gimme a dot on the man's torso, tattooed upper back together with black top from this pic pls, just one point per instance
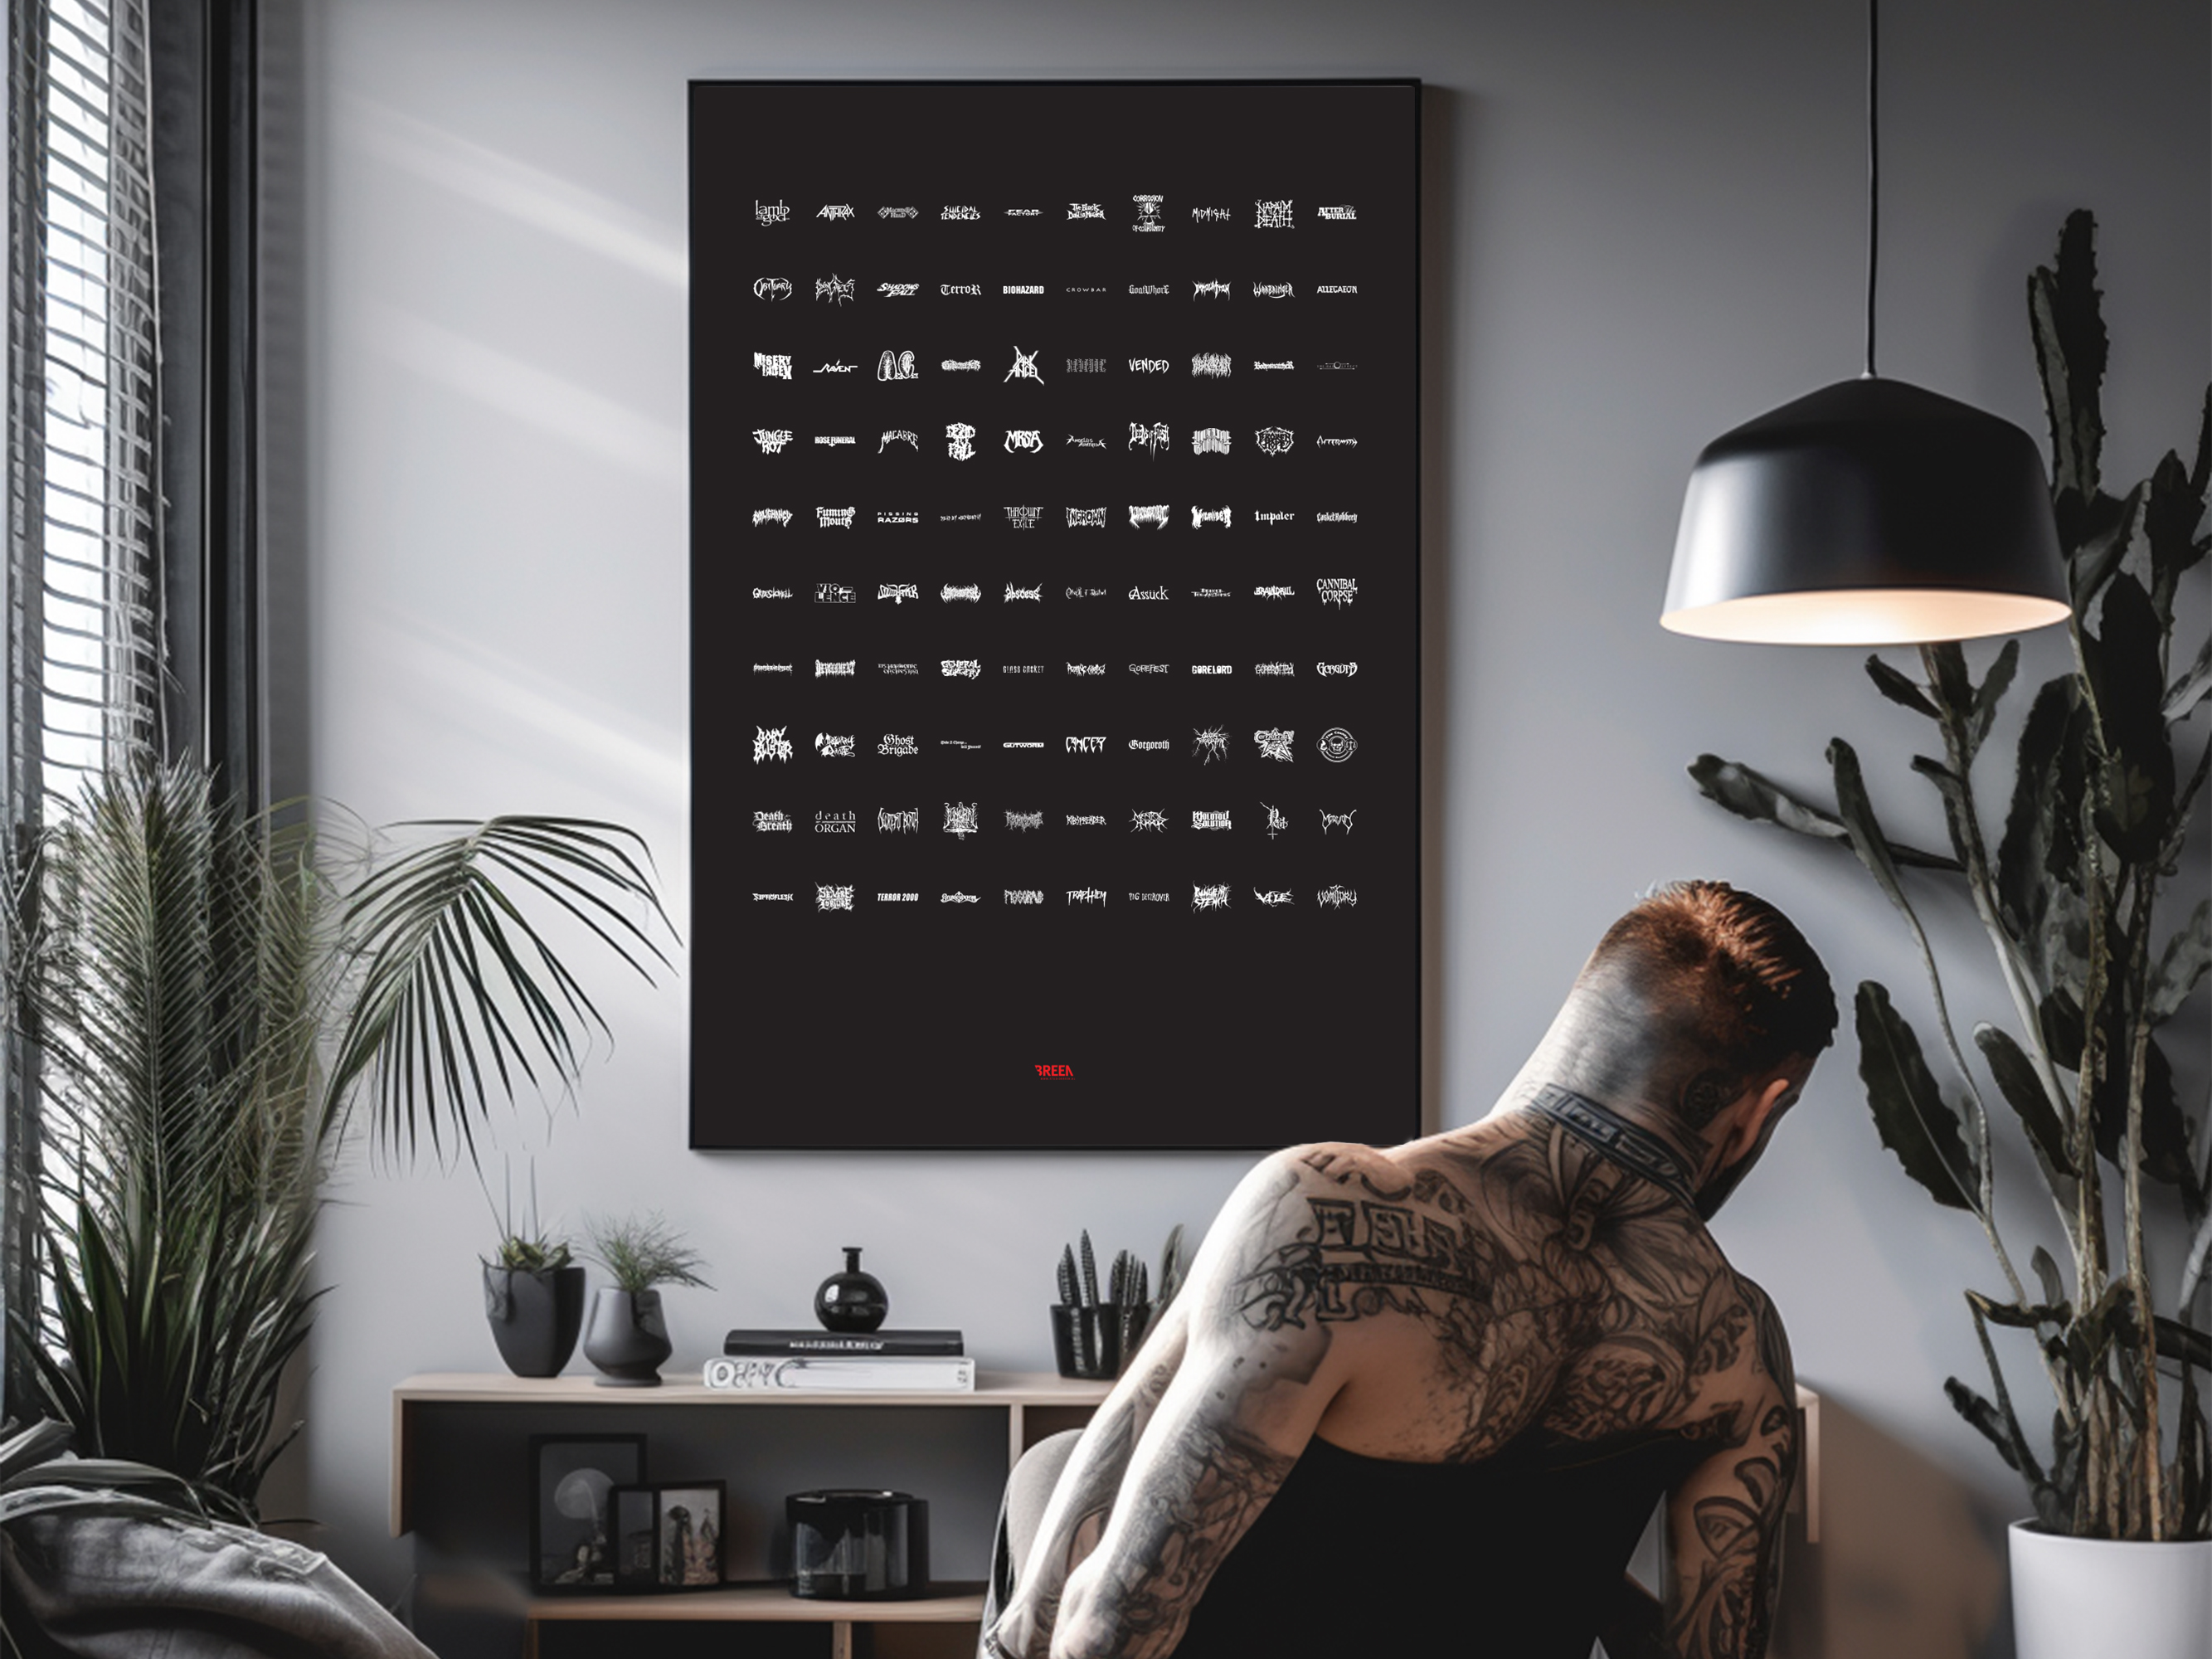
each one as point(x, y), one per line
point(1534, 1348)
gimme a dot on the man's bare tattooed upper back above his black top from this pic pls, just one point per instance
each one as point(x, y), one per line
point(1499, 1282)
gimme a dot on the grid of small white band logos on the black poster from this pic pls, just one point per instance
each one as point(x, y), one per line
point(864, 501)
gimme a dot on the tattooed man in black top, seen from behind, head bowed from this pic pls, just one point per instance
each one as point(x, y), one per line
point(1423, 1401)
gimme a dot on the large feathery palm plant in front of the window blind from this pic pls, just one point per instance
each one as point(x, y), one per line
point(213, 999)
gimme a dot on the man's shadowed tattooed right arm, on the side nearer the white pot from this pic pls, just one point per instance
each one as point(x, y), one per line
point(1726, 1521)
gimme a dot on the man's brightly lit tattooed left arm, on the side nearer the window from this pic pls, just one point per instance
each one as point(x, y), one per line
point(1231, 1423)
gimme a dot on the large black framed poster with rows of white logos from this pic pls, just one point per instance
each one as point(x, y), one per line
point(1054, 616)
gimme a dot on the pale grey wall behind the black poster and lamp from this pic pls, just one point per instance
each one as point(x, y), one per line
point(1645, 229)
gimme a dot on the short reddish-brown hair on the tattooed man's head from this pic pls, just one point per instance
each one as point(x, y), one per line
point(1753, 988)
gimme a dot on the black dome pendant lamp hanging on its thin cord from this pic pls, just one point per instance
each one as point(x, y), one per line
point(1868, 512)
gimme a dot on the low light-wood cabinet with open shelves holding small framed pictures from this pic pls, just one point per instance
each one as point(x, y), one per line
point(461, 1488)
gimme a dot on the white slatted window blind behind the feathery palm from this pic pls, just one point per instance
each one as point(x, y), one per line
point(83, 643)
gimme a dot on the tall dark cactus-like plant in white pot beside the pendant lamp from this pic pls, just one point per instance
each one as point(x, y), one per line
point(2107, 784)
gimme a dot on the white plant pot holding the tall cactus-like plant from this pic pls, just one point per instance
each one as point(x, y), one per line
point(2078, 1598)
